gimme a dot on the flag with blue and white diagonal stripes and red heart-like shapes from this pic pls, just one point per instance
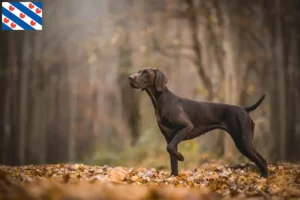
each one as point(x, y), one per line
point(22, 15)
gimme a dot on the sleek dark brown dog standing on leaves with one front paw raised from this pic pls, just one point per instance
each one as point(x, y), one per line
point(182, 119)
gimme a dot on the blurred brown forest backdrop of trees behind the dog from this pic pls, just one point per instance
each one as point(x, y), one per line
point(65, 96)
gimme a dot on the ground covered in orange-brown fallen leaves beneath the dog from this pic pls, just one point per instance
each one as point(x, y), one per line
point(212, 181)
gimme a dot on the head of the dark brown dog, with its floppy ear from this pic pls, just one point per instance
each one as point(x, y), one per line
point(148, 77)
